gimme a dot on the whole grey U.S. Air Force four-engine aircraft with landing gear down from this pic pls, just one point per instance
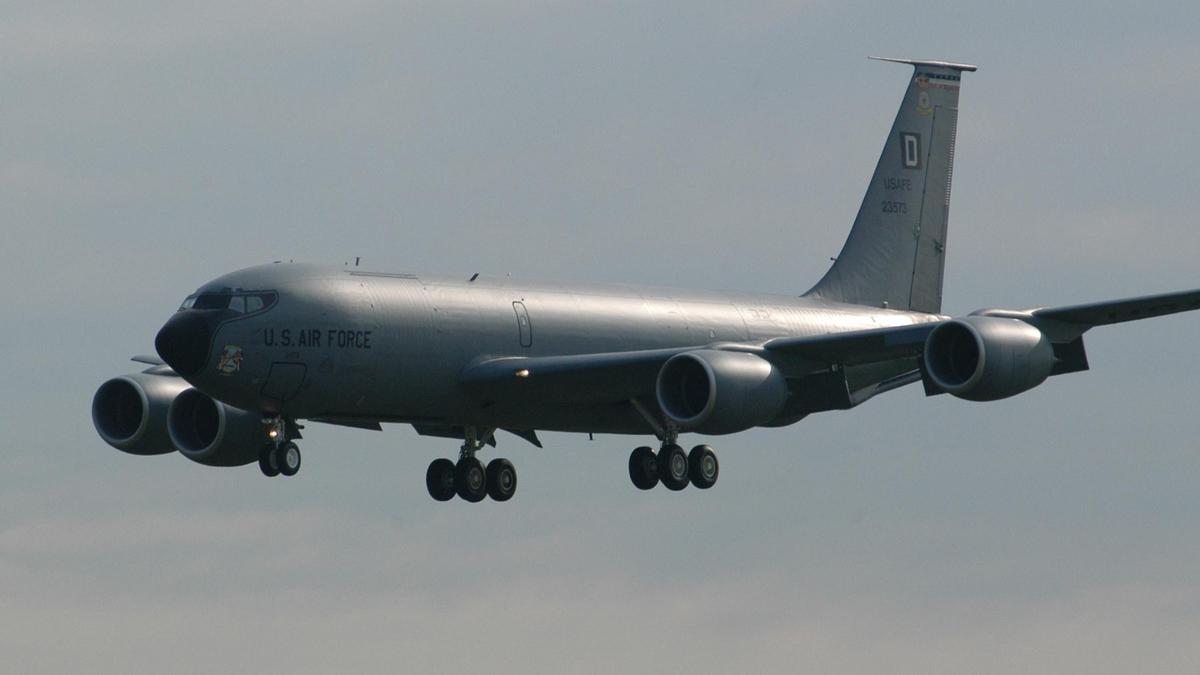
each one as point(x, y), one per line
point(253, 353)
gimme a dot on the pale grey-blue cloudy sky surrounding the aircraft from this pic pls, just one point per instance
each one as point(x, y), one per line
point(148, 147)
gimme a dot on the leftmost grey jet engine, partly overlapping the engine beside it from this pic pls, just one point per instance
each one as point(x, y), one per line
point(130, 413)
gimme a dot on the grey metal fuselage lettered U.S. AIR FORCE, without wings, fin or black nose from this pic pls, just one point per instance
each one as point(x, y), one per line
point(347, 344)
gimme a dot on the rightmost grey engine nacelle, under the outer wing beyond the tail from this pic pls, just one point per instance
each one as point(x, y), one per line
point(986, 359)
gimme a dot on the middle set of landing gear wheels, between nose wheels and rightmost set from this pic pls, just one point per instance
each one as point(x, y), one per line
point(469, 479)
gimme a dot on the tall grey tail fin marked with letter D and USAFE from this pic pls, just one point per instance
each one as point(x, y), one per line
point(896, 254)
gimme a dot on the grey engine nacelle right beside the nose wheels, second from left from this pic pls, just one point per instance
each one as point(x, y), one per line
point(214, 434)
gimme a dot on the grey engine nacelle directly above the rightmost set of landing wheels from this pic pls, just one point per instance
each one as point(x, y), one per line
point(716, 392)
